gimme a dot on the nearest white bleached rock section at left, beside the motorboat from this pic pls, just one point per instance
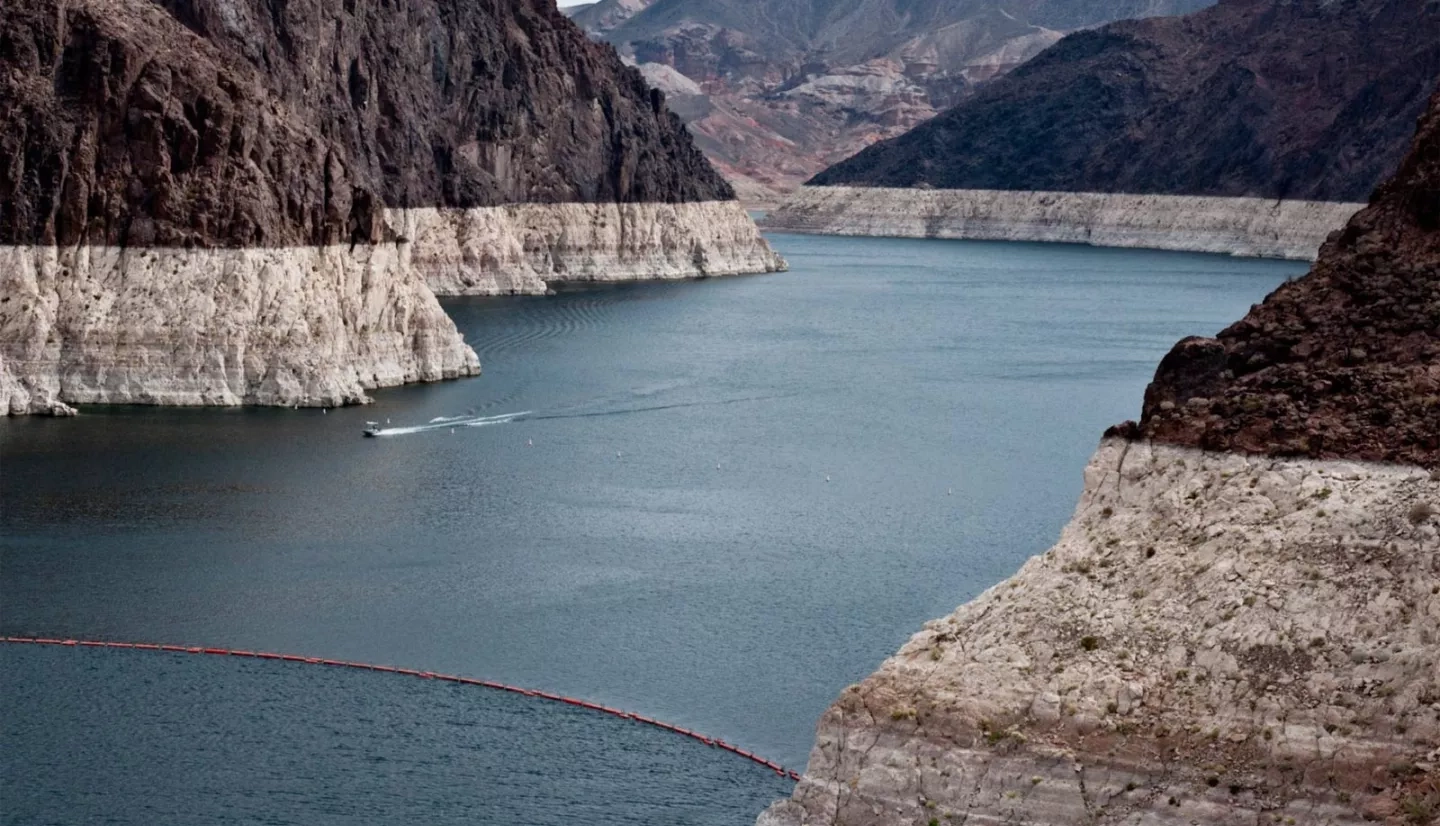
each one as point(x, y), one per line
point(310, 326)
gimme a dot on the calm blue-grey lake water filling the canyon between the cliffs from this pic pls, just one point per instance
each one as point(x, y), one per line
point(722, 503)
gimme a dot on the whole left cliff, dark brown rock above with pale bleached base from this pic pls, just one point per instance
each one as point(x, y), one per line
point(205, 202)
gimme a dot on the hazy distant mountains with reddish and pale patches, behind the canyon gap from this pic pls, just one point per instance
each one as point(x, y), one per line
point(788, 87)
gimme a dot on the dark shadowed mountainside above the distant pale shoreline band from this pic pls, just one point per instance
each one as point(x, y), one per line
point(1272, 99)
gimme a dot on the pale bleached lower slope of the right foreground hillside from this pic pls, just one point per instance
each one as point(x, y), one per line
point(1215, 640)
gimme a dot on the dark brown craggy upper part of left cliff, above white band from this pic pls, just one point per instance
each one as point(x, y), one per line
point(243, 123)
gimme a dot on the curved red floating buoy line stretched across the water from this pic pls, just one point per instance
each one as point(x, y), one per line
point(712, 742)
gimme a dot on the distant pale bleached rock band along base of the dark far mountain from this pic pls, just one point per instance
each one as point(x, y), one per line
point(1235, 227)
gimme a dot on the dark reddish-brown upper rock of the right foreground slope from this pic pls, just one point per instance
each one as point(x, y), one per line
point(1343, 363)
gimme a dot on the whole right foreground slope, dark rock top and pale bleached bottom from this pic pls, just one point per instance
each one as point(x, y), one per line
point(1241, 624)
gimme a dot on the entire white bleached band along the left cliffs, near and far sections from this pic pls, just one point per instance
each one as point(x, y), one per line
point(320, 326)
